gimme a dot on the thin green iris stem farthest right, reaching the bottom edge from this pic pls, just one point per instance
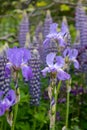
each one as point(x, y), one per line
point(67, 106)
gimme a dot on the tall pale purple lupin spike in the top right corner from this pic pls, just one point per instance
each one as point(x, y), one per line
point(81, 23)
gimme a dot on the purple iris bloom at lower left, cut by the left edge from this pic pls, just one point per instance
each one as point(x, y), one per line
point(6, 101)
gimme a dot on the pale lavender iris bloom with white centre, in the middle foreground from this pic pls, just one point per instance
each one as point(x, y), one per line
point(55, 67)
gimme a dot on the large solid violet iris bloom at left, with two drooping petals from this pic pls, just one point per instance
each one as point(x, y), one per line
point(18, 58)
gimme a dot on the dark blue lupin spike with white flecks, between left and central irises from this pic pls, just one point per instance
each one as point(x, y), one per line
point(35, 83)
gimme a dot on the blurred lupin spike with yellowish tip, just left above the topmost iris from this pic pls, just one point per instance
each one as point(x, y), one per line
point(47, 23)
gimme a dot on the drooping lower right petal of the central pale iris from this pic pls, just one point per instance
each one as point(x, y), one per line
point(62, 75)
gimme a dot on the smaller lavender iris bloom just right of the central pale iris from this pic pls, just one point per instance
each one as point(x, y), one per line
point(72, 55)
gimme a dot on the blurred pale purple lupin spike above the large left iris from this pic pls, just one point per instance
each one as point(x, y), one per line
point(24, 29)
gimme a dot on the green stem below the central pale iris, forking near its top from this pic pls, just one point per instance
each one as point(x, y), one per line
point(56, 92)
